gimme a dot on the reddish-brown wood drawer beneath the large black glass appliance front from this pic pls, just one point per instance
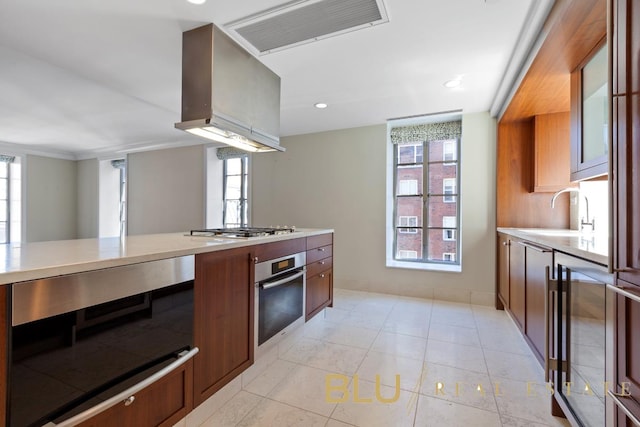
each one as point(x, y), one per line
point(161, 404)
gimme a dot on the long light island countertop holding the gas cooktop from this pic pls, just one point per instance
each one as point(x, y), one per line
point(37, 260)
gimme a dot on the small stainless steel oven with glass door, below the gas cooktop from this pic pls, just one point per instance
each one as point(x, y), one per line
point(280, 296)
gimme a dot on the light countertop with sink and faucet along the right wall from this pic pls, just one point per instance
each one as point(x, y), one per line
point(592, 247)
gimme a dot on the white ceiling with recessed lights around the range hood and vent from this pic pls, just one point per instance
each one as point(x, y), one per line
point(95, 77)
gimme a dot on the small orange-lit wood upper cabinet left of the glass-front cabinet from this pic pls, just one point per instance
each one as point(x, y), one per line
point(551, 152)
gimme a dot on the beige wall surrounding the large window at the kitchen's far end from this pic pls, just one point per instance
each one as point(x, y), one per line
point(337, 180)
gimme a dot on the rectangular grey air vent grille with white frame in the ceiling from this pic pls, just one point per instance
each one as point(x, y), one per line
point(305, 21)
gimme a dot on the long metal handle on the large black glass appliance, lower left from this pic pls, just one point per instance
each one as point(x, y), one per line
point(127, 396)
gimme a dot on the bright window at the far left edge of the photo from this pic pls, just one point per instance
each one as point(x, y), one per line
point(10, 199)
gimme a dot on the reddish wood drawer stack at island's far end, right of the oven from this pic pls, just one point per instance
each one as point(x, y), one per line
point(319, 274)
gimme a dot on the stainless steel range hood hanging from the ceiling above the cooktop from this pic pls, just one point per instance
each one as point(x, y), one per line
point(228, 95)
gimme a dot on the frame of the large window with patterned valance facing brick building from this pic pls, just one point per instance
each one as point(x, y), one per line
point(393, 230)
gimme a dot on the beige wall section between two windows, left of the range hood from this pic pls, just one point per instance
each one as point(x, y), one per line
point(166, 190)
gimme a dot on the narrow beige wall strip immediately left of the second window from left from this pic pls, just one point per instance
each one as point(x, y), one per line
point(87, 226)
